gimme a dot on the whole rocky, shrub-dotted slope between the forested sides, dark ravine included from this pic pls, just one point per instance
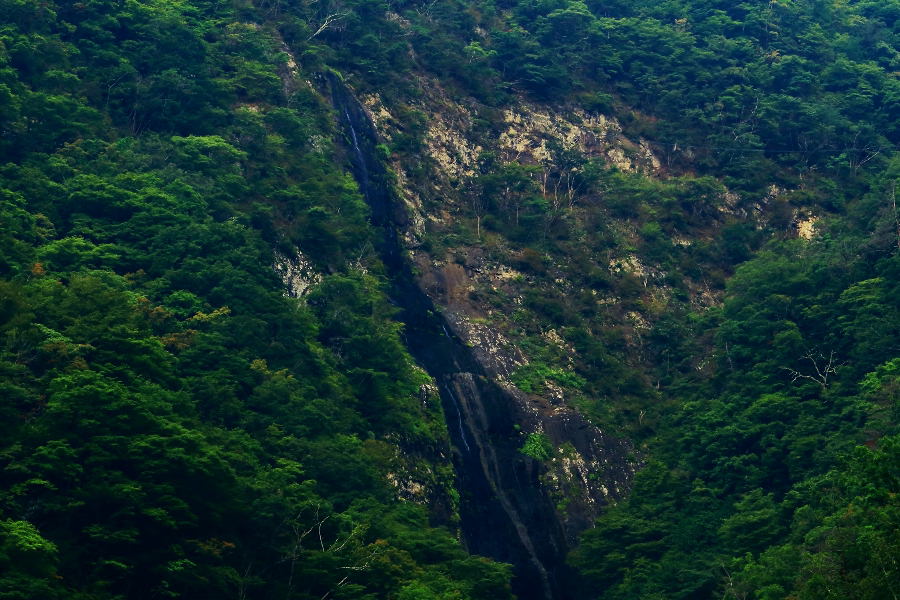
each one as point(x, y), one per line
point(523, 413)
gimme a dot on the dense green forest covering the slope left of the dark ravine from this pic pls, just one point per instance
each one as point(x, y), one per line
point(172, 424)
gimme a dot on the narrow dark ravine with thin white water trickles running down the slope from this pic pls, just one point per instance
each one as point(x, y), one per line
point(505, 512)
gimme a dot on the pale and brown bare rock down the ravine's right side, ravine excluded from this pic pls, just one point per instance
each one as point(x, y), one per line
point(595, 467)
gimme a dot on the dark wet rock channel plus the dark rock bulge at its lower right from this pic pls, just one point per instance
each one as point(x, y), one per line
point(527, 510)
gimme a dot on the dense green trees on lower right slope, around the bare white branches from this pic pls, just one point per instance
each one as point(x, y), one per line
point(760, 490)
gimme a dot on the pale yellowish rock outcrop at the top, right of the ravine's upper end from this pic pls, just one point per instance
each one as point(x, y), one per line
point(453, 145)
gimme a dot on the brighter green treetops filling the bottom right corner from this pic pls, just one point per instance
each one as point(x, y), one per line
point(843, 536)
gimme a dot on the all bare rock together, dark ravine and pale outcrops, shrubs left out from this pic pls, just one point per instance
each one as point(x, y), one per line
point(533, 472)
